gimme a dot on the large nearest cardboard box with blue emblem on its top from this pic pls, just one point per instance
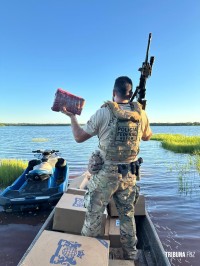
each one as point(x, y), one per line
point(65, 249)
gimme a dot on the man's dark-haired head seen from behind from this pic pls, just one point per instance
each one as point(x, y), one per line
point(122, 88)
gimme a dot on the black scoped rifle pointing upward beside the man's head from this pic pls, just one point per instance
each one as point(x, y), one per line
point(145, 70)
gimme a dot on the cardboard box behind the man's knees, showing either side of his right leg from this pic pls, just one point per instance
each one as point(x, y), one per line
point(139, 207)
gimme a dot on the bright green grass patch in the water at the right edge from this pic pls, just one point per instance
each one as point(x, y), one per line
point(179, 143)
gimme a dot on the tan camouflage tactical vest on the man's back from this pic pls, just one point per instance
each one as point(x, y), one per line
point(123, 139)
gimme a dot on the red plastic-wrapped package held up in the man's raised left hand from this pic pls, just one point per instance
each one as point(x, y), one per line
point(73, 103)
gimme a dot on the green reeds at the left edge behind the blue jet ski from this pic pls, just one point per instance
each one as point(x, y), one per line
point(10, 169)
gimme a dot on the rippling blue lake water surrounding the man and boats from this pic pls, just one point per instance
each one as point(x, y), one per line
point(174, 207)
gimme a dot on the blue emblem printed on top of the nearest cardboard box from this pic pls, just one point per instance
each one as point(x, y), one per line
point(67, 252)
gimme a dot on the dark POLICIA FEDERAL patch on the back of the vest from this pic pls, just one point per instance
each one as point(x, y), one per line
point(126, 131)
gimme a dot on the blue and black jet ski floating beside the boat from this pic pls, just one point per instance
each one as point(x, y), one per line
point(40, 186)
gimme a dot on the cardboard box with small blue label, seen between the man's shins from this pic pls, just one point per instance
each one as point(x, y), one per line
point(114, 233)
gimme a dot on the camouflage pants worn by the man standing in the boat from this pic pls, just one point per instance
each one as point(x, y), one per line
point(125, 193)
